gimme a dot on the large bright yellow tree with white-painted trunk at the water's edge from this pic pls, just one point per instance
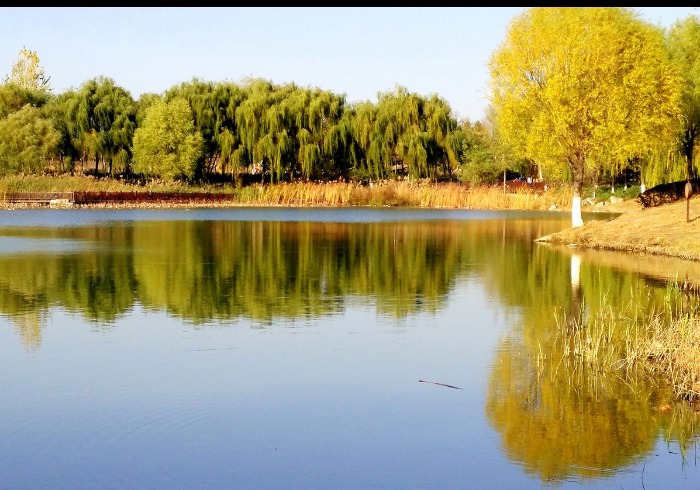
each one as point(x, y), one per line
point(585, 88)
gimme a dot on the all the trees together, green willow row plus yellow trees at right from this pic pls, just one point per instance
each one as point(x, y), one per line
point(584, 95)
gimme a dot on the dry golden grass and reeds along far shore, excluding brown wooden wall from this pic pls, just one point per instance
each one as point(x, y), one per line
point(387, 193)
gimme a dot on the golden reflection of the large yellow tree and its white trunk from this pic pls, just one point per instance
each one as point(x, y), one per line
point(568, 418)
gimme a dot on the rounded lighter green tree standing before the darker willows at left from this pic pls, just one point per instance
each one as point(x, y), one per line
point(168, 145)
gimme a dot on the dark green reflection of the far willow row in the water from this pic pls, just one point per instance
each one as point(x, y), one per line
point(221, 270)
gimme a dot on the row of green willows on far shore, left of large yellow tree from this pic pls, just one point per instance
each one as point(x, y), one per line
point(224, 131)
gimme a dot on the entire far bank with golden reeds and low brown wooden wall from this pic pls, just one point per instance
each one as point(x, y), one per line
point(105, 192)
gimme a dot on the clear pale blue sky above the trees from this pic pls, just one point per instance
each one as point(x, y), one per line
point(356, 51)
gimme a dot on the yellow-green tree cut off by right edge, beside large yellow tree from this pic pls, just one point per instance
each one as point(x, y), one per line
point(684, 46)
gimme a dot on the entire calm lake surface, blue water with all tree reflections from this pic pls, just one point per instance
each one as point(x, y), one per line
point(316, 348)
